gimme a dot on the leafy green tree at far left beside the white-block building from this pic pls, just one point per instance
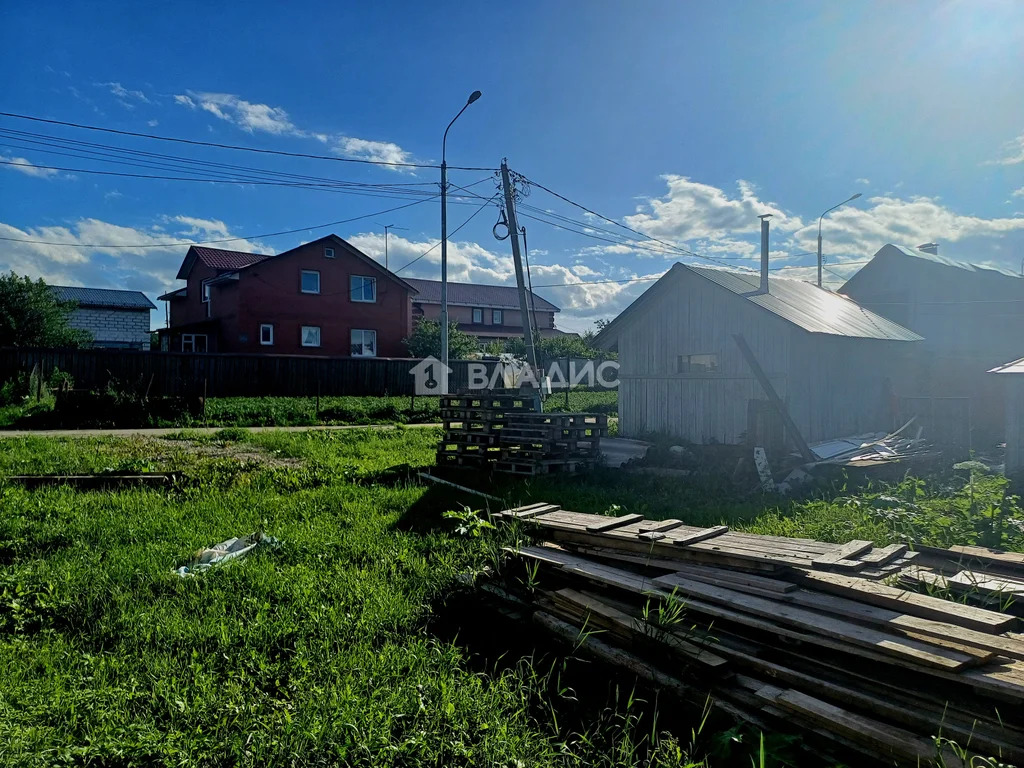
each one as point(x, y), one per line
point(32, 316)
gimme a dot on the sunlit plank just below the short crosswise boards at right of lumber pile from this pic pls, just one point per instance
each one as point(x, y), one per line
point(912, 604)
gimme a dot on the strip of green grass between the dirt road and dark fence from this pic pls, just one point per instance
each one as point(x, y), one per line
point(288, 412)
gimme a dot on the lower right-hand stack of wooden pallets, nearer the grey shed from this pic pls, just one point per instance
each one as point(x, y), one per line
point(536, 444)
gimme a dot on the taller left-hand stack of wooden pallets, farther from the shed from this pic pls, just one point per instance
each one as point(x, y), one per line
point(474, 421)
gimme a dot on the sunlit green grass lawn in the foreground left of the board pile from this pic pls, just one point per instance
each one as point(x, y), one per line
point(319, 654)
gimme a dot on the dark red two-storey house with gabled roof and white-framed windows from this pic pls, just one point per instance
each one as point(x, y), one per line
point(323, 298)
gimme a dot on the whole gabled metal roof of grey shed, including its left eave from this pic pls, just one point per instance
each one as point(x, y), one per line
point(803, 305)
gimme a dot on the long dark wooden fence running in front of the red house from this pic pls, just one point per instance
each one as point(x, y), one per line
point(167, 374)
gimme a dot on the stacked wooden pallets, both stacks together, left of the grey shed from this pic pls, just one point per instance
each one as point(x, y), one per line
point(504, 431)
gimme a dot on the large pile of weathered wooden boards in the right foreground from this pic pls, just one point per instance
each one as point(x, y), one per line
point(787, 634)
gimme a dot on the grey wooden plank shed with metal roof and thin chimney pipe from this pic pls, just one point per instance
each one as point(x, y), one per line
point(682, 373)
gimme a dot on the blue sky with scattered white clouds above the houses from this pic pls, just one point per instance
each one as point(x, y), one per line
point(681, 120)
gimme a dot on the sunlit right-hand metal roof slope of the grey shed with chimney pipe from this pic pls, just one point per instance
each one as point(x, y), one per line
point(808, 307)
